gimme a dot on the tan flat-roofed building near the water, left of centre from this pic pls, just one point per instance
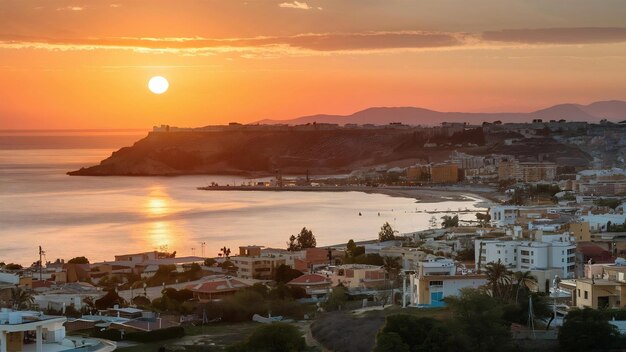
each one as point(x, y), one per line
point(251, 265)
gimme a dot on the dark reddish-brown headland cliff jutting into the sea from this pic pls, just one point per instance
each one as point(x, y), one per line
point(259, 152)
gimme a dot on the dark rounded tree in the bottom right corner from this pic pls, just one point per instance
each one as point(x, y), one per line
point(586, 330)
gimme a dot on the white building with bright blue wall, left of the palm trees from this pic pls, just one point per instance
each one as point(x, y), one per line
point(438, 278)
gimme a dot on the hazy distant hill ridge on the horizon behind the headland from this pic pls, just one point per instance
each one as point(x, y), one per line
point(614, 110)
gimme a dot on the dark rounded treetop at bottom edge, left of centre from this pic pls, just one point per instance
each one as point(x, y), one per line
point(276, 337)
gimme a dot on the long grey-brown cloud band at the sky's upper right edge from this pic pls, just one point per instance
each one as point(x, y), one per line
point(573, 35)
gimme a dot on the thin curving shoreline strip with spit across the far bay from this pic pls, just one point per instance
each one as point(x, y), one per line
point(486, 195)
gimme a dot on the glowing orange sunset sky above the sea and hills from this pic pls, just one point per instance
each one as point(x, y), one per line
point(85, 64)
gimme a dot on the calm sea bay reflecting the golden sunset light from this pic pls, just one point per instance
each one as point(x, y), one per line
point(102, 216)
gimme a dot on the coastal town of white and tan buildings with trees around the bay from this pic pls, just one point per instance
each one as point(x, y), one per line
point(543, 262)
